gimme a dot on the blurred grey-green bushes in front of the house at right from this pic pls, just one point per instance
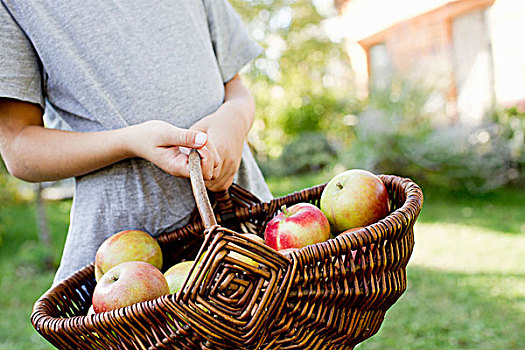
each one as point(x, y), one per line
point(400, 138)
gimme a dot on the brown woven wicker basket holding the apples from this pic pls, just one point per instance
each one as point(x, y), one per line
point(331, 295)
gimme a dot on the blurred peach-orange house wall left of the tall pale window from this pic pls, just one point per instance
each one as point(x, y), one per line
point(420, 49)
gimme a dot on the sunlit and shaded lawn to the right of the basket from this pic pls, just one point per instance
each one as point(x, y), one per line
point(466, 290)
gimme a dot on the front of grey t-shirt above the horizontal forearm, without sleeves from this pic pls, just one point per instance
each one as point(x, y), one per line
point(109, 64)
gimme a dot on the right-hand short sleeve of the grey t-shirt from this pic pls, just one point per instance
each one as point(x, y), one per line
point(233, 46)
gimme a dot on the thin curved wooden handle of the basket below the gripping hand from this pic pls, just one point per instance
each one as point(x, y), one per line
point(199, 190)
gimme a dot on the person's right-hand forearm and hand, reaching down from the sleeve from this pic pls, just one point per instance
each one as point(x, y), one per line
point(227, 129)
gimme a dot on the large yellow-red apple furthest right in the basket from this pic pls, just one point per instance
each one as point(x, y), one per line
point(354, 198)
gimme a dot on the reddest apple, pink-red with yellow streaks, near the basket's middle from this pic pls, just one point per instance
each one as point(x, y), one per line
point(300, 225)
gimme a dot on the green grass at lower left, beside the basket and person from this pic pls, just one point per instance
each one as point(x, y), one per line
point(23, 276)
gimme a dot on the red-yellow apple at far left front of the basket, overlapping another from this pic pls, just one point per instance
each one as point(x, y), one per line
point(128, 283)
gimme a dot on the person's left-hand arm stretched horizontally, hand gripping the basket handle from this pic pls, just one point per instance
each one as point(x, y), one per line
point(34, 153)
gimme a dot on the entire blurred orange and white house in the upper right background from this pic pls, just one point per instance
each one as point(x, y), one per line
point(449, 49)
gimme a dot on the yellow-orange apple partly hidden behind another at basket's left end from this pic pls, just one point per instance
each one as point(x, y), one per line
point(129, 245)
